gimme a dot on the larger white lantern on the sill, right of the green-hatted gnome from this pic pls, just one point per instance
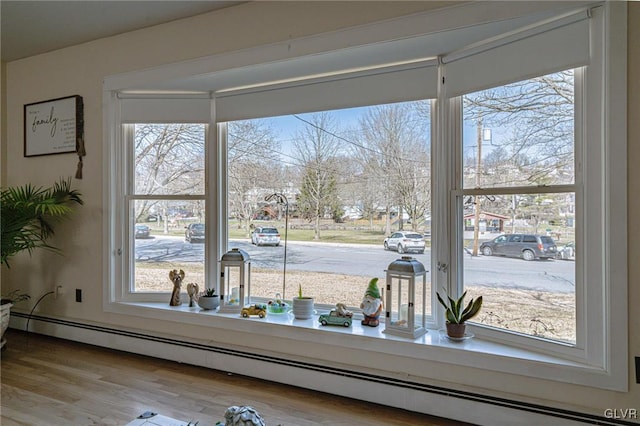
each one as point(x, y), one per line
point(402, 316)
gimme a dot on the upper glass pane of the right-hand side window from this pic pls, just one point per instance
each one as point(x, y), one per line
point(521, 134)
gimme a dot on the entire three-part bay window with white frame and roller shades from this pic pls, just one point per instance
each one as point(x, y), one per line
point(468, 135)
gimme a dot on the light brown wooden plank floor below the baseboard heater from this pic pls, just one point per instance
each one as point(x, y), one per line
point(48, 381)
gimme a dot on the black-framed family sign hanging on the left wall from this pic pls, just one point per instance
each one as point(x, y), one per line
point(55, 126)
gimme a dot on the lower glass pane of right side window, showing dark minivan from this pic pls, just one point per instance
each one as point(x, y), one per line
point(525, 267)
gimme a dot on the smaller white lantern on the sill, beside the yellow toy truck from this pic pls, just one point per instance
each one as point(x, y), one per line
point(235, 281)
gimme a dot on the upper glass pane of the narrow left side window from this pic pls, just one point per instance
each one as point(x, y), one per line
point(169, 159)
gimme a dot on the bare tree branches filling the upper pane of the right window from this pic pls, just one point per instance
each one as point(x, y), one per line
point(536, 117)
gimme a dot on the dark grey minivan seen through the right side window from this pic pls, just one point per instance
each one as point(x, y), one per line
point(526, 246)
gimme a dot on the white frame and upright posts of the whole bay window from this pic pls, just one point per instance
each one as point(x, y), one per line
point(602, 361)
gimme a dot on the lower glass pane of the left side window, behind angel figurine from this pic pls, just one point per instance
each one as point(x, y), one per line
point(169, 235)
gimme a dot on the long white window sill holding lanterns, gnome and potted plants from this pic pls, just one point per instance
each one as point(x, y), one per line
point(476, 353)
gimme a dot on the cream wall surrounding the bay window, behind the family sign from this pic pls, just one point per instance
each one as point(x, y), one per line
point(81, 69)
